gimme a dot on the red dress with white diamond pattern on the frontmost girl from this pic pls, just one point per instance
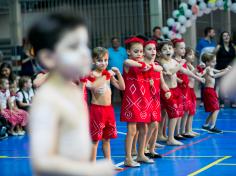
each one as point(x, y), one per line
point(135, 102)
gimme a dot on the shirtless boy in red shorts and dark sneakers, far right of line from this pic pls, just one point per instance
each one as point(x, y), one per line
point(210, 97)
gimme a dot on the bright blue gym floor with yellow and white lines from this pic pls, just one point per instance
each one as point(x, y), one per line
point(208, 154)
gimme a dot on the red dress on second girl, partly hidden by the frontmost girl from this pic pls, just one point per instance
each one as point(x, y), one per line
point(154, 89)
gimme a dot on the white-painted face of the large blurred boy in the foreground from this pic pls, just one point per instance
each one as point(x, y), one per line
point(72, 53)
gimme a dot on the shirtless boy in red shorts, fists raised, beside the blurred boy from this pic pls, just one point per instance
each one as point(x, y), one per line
point(102, 116)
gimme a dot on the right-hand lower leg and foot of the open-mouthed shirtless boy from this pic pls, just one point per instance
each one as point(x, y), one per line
point(171, 130)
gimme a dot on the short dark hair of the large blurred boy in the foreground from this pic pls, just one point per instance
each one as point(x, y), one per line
point(45, 33)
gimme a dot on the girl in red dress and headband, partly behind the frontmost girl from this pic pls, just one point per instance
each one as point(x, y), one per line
point(155, 82)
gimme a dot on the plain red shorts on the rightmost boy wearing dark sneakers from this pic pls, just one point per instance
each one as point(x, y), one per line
point(210, 99)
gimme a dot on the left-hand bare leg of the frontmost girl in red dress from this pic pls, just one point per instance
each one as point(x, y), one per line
point(129, 140)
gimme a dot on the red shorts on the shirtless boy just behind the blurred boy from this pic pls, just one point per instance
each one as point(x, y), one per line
point(102, 122)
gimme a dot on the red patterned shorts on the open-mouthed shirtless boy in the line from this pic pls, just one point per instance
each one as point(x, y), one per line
point(173, 105)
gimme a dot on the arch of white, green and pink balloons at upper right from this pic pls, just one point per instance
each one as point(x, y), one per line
point(187, 13)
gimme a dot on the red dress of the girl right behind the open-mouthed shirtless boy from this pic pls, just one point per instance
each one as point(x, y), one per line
point(184, 91)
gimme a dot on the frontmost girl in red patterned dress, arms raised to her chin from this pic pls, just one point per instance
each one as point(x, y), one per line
point(134, 109)
